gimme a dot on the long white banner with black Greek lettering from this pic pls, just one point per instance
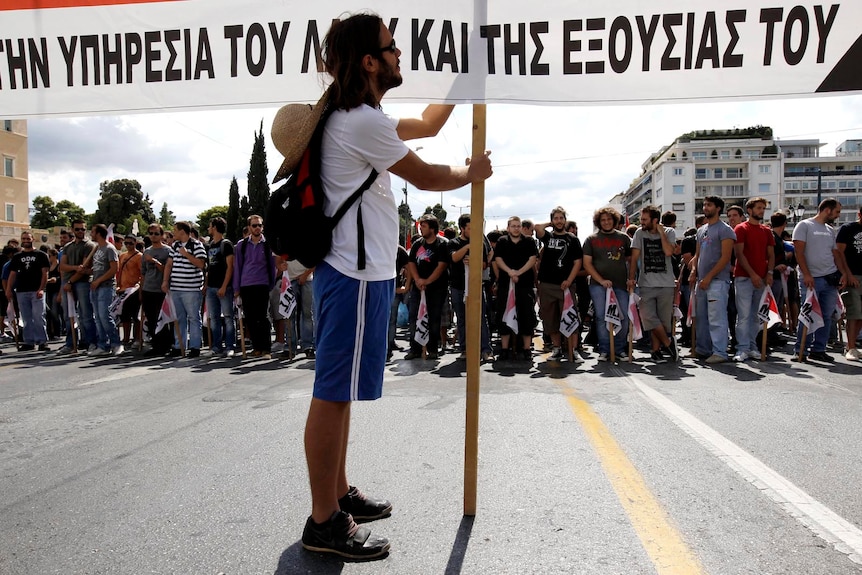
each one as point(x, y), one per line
point(124, 56)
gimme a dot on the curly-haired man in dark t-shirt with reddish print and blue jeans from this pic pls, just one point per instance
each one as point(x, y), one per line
point(606, 257)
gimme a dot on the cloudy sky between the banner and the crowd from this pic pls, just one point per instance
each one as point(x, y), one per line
point(577, 157)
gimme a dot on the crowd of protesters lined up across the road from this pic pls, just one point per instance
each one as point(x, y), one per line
point(176, 293)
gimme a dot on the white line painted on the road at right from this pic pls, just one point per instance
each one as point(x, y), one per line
point(824, 522)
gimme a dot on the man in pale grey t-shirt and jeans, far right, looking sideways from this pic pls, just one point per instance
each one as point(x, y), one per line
point(821, 269)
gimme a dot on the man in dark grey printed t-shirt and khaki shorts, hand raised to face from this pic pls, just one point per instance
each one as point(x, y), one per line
point(652, 249)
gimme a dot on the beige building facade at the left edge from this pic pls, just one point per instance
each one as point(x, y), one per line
point(14, 191)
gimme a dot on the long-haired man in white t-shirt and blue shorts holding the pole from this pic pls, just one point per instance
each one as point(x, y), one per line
point(351, 304)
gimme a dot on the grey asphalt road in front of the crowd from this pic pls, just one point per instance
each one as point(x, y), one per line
point(135, 466)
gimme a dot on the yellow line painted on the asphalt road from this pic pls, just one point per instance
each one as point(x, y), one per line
point(661, 540)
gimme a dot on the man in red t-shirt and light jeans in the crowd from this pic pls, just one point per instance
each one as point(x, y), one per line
point(755, 262)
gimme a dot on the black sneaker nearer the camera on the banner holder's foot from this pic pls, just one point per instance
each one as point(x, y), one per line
point(342, 536)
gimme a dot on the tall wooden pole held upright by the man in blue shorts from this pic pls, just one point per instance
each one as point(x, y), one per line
point(474, 319)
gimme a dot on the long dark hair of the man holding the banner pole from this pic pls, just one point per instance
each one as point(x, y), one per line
point(345, 45)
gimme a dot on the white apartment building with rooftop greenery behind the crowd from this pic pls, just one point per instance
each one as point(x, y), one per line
point(740, 164)
